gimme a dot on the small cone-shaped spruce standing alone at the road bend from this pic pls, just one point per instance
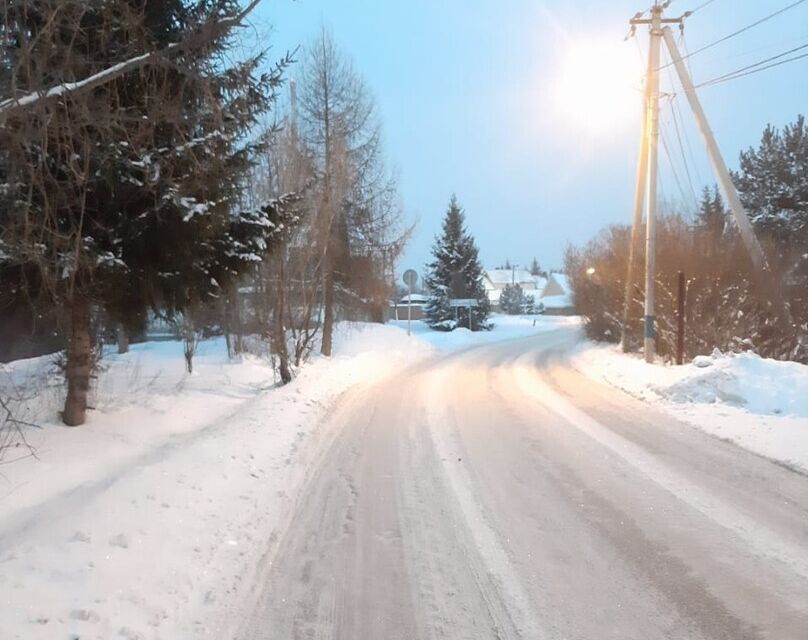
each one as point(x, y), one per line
point(454, 273)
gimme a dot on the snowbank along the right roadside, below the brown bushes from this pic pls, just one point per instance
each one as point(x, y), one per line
point(758, 403)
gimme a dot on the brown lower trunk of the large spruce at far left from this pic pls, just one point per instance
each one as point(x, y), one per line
point(79, 356)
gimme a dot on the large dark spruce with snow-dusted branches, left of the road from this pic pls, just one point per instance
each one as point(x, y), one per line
point(127, 196)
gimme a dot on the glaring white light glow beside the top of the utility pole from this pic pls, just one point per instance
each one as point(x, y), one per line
point(596, 88)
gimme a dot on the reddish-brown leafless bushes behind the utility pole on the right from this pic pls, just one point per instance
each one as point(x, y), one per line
point(724, 308)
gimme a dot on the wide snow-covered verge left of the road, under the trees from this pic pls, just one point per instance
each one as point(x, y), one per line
point(149, 521)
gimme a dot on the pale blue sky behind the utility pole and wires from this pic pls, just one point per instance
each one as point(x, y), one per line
point(475, 98)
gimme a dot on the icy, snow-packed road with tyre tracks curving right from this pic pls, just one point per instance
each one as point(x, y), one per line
point(497, 493)
